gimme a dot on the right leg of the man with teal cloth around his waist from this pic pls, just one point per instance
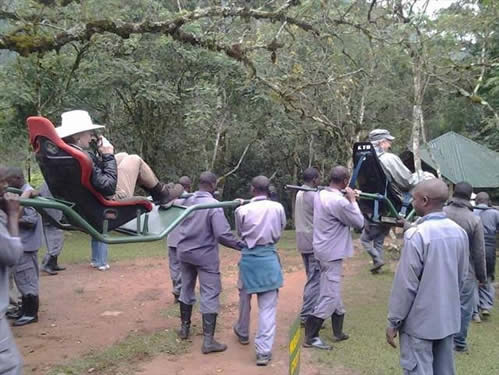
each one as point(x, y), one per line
point(264, 340)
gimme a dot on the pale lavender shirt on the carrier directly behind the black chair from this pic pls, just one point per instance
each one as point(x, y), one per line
point(333, 217)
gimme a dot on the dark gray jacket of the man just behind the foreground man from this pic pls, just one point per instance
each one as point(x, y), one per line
point(461, 211)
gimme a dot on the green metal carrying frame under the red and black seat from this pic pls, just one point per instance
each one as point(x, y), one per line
point(170, 217)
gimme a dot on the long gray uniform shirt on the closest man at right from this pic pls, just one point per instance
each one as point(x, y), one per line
point(425, 301)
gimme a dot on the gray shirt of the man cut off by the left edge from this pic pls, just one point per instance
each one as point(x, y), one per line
point(11, 250)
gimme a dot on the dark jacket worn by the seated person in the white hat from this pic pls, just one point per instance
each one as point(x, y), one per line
point(104, 173)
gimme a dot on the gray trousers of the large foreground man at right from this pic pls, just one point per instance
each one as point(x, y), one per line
point(426, 357)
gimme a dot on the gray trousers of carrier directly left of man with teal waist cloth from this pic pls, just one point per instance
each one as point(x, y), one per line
point(210, 286)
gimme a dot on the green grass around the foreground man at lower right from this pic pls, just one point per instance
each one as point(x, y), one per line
point(367, 353)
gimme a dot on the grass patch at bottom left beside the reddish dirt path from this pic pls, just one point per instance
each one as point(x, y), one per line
point(122, 357)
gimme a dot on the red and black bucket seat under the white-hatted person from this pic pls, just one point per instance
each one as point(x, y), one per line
point(68, 172)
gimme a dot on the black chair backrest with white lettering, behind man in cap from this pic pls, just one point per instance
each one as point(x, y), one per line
point(371, 178)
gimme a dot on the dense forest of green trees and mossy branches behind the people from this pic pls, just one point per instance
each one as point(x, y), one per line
point(249, 87)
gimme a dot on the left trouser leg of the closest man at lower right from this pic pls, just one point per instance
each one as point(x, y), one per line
point(416, 355)
